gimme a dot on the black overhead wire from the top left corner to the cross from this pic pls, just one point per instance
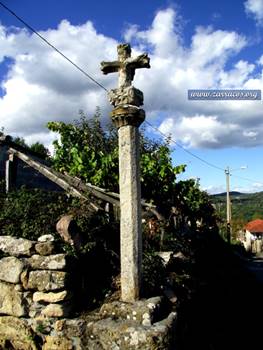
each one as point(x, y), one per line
point(52, 46)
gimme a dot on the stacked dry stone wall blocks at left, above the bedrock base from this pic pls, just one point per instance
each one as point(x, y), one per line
point(33, 279)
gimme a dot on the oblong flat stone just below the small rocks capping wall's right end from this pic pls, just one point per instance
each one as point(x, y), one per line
point(51, 262)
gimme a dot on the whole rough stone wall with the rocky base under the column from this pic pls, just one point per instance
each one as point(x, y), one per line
point(37, 307)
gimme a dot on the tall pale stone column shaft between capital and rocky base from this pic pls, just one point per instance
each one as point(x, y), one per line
point(130, 203)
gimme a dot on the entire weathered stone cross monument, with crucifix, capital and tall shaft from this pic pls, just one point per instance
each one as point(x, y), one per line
point(127, 117)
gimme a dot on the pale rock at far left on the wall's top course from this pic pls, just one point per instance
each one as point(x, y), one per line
point(16, 246)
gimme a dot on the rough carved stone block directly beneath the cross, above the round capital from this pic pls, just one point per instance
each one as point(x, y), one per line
point(125, 96)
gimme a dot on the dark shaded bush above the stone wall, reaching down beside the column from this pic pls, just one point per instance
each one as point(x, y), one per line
point(31, 213)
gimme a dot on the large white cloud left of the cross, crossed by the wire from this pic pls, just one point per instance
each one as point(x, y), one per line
point(41, 86)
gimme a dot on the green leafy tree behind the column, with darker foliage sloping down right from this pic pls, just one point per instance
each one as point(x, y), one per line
point(90, 152)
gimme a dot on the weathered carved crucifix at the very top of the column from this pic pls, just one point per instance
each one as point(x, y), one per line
point(125, 65)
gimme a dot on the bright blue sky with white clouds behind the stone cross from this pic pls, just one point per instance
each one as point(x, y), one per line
point(191, 44)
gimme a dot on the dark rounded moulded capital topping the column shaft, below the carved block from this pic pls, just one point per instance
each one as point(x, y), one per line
point(127, 115)
